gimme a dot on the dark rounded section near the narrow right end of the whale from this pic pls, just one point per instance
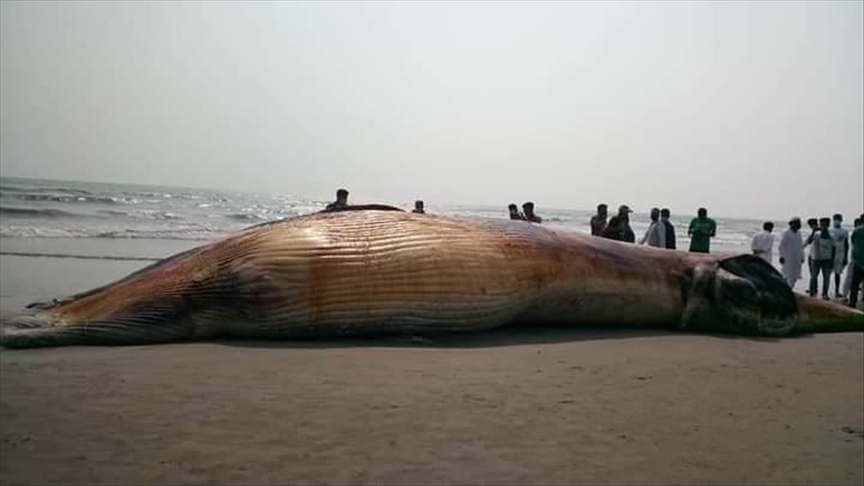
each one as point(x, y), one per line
point(742, 295)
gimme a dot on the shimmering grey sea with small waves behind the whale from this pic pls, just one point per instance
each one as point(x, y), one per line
point(39, 209)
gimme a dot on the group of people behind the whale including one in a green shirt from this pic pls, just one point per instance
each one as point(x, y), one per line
point(660, 232)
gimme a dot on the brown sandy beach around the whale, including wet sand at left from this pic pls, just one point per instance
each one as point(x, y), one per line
point(518, 406)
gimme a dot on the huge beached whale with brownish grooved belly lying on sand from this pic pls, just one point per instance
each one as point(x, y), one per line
point(379, 270)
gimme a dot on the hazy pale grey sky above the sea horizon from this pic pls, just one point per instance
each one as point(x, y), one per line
point(751, 109)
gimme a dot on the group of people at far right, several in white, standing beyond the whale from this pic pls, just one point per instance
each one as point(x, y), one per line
point(830, 250)
